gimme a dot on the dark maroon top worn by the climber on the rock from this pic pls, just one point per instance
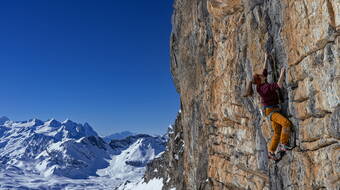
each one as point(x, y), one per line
point(267, 92)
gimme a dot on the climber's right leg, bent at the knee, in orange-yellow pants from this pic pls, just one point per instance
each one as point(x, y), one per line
point(286, 127)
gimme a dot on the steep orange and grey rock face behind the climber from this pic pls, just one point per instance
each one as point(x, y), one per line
point(216, 46)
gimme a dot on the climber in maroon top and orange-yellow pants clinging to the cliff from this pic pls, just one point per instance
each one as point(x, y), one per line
point(270, 102)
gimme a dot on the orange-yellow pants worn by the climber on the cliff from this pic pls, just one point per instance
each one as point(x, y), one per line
point(281, 126)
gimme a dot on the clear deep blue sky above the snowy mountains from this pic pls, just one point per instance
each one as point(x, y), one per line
point(104, 62)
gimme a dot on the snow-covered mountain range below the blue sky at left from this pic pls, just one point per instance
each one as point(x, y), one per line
point(71, 152)
